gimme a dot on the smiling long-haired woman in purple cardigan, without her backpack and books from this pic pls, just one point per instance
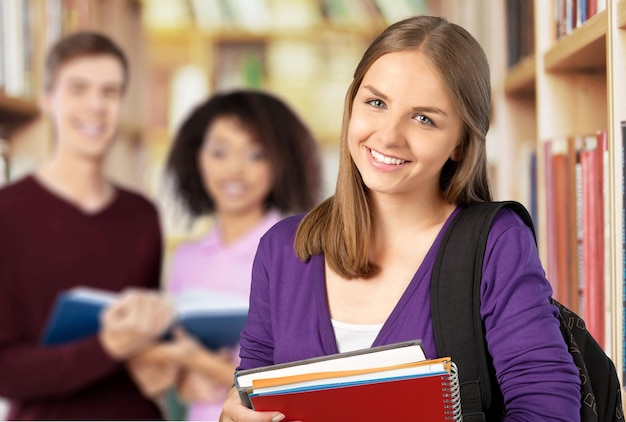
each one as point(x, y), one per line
point(355, 271)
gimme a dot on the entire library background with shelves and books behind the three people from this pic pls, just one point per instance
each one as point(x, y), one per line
point(559, 104)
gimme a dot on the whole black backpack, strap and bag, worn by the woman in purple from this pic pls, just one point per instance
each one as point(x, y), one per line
point(457, 275)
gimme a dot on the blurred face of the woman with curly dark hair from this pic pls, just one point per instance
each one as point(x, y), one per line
point(235, 169)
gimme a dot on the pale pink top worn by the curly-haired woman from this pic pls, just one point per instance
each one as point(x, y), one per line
point(209, 264)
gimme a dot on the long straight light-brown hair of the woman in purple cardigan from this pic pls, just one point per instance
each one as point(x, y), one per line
point(341, 226)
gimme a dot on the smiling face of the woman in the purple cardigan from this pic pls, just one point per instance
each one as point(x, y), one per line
point(403, 126)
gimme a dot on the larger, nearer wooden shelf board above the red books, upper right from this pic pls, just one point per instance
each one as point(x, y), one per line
point(583, 49)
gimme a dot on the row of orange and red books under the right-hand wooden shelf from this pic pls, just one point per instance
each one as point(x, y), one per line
point(576, 175)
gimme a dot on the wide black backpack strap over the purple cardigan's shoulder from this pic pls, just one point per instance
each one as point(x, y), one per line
point(455, 306)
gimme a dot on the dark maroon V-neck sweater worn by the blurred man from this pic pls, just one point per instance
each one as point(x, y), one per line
point(48, 245)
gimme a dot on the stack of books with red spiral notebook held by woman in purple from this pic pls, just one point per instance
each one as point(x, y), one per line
point(393, 382)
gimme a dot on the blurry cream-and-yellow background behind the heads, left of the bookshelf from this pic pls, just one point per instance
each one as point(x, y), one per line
point(182, 51)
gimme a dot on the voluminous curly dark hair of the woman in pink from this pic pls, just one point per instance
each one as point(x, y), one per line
point(289, 144)
